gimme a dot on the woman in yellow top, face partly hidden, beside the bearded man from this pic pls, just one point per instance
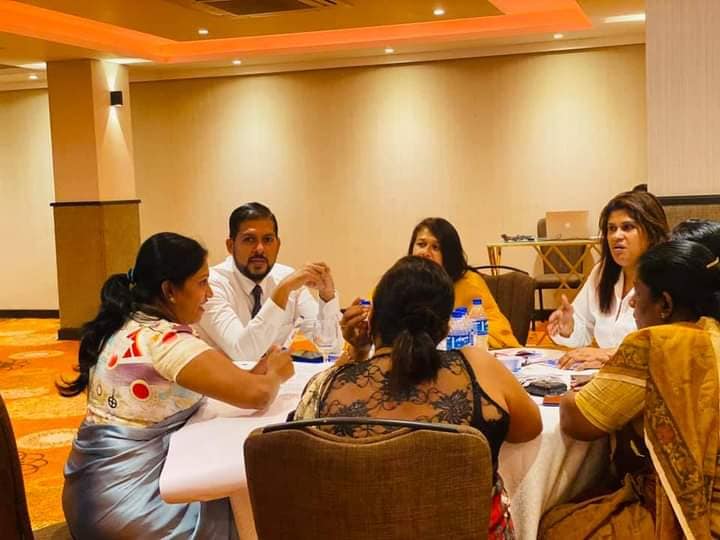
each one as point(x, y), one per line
point(436, 239)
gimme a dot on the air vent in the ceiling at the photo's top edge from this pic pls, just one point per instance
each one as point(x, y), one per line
point(242, 8)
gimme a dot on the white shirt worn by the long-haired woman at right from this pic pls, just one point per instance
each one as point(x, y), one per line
point(608, 329)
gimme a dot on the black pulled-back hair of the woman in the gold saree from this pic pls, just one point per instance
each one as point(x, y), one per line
point(688, 271)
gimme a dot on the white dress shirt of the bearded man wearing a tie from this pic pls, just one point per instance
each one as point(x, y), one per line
point(227, 324)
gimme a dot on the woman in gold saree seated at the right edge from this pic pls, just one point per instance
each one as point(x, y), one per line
point(658, 397)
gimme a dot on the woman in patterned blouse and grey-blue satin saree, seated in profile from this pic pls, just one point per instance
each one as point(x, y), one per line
point(145, 373)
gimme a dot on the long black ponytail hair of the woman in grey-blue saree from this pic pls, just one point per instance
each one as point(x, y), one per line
point(162, 257)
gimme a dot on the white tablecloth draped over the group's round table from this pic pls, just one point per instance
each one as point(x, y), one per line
point(205, 460)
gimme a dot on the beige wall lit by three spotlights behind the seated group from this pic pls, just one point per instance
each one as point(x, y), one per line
point(351, 159)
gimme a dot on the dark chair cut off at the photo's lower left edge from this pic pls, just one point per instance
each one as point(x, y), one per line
point(14, 516)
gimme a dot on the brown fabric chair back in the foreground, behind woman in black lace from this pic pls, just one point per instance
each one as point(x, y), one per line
point(418, 481)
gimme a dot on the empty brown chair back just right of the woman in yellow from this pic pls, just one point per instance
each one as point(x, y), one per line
point(514, 292)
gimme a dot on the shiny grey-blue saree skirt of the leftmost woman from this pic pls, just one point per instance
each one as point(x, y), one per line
point(111, 487)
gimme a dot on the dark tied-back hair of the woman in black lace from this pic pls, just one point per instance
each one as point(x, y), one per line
point(411, 309)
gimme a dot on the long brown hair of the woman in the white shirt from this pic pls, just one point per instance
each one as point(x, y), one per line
point(649, 215)
